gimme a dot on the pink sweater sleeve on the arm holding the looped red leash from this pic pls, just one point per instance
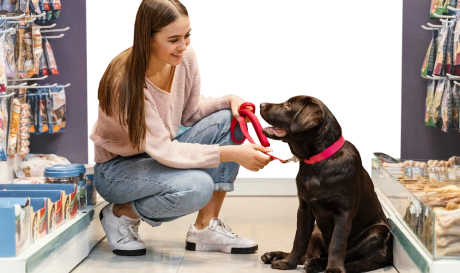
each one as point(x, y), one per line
point(199, 106)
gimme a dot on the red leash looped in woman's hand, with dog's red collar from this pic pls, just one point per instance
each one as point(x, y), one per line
point(258, 124)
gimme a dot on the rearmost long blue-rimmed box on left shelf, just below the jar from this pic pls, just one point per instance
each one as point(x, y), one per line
point(67, 207)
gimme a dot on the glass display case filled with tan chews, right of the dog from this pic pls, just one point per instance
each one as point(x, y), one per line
point(427, 207)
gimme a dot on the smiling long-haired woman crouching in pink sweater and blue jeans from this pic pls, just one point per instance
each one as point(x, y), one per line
point(142, 168)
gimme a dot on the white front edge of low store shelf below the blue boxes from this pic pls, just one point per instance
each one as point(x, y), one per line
point(63, 249)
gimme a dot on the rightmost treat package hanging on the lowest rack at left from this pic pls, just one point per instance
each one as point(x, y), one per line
point(56, 110)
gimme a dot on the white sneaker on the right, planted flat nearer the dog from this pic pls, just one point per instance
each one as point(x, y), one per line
point(218, 237)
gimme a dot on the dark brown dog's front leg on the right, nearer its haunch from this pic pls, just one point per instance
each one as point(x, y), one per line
point(338, 245)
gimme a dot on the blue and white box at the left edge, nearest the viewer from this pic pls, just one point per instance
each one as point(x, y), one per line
point(14, 226)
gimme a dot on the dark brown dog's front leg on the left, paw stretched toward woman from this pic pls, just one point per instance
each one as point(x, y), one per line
point(305, 224)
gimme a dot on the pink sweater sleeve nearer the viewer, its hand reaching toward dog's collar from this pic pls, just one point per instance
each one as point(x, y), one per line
point(173, 153)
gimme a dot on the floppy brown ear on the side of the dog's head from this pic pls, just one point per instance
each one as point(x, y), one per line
point(311, 115)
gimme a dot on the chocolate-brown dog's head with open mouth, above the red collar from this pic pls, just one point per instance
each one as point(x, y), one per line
point(300, 119)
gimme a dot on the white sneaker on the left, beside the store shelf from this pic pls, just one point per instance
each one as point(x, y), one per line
point(122, 233)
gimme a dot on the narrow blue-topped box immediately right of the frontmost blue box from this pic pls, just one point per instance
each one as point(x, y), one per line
point(39, 218)
